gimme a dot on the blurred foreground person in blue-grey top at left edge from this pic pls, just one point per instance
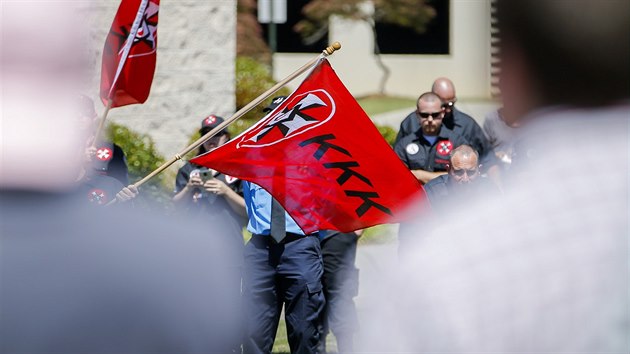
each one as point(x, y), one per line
point(72, 280)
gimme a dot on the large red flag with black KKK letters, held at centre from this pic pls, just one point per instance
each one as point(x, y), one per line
point(321, 157)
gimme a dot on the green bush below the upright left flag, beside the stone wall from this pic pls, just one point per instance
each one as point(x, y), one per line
point(142, 159)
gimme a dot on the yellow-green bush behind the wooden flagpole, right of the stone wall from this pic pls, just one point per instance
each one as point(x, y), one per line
point(252, 79)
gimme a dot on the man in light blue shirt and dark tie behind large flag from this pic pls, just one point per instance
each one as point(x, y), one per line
point(283, 266)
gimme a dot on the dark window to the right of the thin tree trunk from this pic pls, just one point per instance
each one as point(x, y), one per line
point(393, 39)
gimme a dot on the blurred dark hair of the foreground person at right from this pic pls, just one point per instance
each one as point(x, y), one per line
point(578, 51)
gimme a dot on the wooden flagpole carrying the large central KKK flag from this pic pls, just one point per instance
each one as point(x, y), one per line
point(241, 112)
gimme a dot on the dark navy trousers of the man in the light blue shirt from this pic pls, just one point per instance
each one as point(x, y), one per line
point(282, 273)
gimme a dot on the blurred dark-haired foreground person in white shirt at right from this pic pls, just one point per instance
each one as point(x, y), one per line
point(543, 269)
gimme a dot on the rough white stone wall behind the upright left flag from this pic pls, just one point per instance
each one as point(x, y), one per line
point(195, 68)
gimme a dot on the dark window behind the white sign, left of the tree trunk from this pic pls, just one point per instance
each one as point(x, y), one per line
point(288, 41)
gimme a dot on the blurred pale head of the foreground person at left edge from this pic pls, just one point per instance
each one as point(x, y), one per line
point(42, 63)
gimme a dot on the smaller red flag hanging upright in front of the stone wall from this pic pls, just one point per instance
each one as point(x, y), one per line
point(130, 53)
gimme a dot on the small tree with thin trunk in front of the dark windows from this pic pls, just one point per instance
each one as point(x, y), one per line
point(414, 14)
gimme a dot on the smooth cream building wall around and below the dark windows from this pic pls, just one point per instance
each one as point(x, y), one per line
point(467, 64)
